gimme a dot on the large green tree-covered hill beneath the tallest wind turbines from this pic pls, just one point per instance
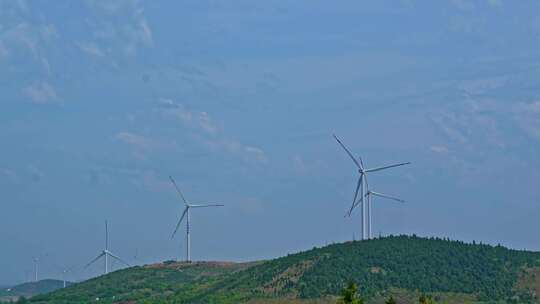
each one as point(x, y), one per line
point(453, 271)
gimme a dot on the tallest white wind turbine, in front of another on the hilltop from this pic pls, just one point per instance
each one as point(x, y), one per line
point(362, 184)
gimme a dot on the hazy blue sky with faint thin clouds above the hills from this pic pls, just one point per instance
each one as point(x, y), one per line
point(103, 100)
